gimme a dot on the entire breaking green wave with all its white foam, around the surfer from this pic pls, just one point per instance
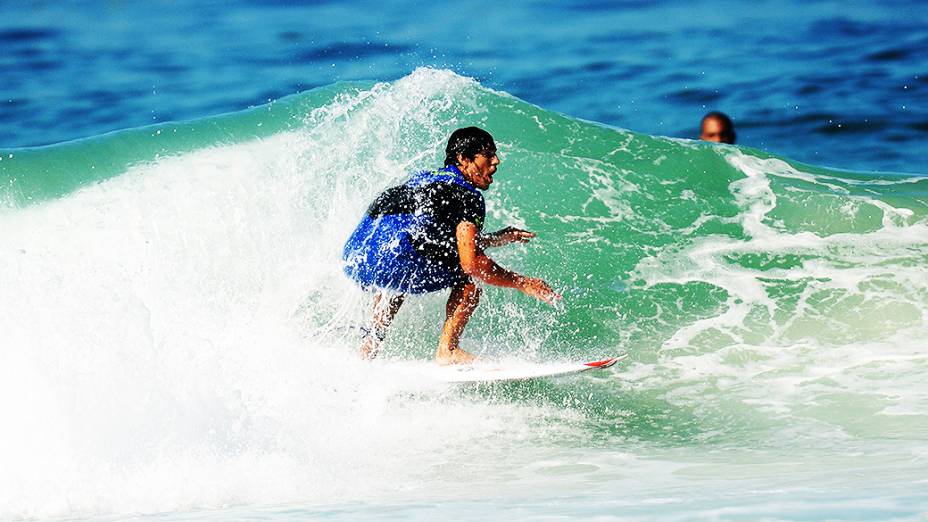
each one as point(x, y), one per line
point(177, 337)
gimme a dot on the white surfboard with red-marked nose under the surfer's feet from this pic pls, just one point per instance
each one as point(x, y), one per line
point(501, 372)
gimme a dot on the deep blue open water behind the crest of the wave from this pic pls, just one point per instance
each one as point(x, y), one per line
point(828, 83)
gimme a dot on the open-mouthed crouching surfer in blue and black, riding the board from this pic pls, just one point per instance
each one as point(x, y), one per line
point(426, 235)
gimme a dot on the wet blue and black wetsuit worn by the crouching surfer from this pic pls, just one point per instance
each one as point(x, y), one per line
point(407, 242)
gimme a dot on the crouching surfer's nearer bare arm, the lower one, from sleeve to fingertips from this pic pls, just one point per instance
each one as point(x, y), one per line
point(476, 264)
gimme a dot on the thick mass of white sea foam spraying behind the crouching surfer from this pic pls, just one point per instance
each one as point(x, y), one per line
point(168, 334)
